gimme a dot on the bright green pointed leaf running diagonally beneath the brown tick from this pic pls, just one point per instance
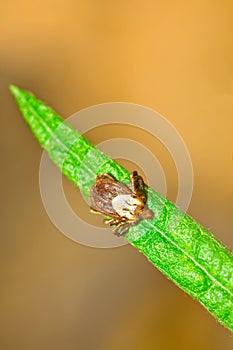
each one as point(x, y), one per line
point(177, 245)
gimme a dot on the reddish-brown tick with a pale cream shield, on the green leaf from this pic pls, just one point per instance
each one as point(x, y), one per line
point(125, 206)
